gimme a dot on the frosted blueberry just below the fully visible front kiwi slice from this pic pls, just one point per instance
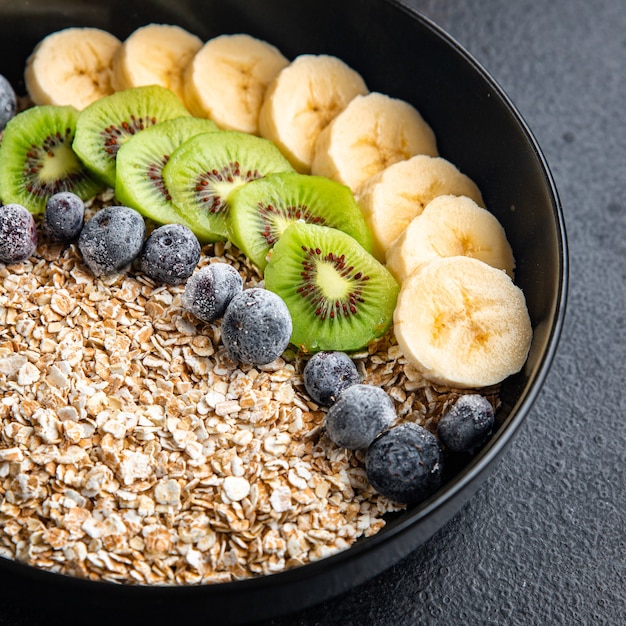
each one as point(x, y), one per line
point(327, 374)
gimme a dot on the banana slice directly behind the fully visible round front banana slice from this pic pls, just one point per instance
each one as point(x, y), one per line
point(450, 226)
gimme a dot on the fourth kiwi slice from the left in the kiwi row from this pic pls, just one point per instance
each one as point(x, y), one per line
point(205, 170)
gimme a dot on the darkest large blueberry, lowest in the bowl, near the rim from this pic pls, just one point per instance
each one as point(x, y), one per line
point(405, 463)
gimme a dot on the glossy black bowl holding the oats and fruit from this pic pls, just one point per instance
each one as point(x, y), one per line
point(402, 54)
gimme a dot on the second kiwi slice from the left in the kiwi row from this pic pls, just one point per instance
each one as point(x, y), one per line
point(107, 123)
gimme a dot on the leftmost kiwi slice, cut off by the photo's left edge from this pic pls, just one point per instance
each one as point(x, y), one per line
point(38, 160)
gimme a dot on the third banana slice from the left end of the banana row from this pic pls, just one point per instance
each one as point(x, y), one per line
point(227, 80)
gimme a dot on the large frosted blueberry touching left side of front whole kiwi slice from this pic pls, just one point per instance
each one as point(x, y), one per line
point(256, 327)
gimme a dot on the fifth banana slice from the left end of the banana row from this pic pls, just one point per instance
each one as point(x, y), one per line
point(372, 133)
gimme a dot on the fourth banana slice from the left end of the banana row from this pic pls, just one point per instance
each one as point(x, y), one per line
point(302, 100)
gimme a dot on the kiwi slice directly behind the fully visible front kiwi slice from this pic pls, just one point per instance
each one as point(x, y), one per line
point(261, 211)
